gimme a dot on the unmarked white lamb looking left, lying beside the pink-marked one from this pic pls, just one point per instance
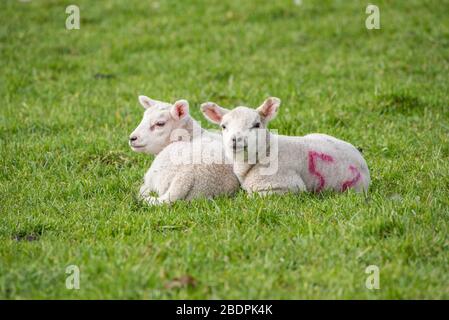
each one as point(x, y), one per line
point(178, 172)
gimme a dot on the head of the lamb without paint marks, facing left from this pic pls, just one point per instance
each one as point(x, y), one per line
point(160, 121)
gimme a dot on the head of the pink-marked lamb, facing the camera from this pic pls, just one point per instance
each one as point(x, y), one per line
point(242, 124)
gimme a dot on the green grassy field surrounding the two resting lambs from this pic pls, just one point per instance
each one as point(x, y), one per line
point(68, 180)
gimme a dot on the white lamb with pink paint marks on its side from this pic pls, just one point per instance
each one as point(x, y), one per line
point(315, 162)
